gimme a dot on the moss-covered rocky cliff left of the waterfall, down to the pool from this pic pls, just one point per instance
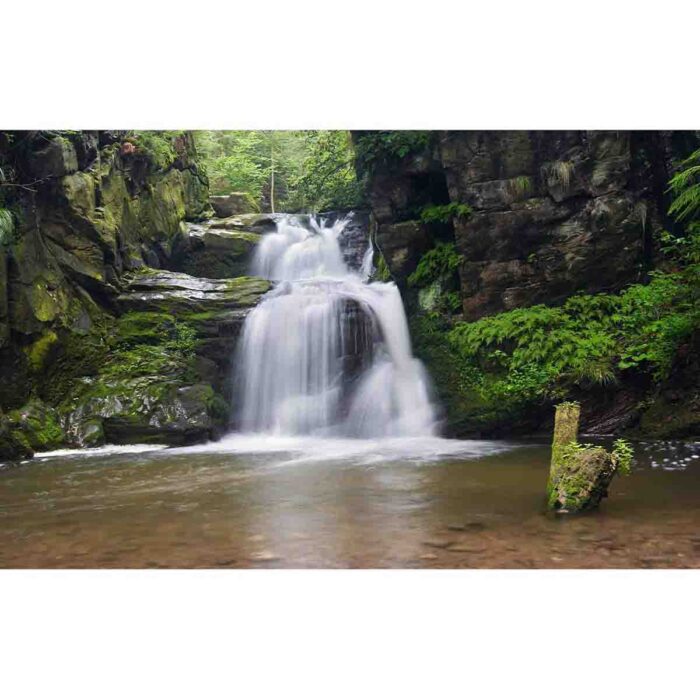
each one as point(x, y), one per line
point(102, 334)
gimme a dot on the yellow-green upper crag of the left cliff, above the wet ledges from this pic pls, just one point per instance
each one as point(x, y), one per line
point(94, 215)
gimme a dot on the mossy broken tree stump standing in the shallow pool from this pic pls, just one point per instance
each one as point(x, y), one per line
point(579, 474)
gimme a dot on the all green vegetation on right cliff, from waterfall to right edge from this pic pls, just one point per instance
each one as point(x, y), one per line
point(499, 369)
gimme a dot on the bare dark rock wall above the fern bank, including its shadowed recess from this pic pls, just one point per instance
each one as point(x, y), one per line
point(553, 213)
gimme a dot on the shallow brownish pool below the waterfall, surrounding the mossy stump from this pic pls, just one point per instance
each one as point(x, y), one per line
point(259, 502)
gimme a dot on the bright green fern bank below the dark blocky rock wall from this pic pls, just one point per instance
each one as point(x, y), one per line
point(542, 352)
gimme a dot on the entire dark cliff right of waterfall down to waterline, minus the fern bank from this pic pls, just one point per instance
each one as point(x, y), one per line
point(471, 224)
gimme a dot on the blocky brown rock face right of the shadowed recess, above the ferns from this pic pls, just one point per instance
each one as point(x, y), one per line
point(553, 214)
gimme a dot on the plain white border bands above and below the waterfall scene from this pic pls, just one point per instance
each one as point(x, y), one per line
point(340, 65)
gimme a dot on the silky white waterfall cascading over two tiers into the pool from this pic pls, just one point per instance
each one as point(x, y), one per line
point(327, 353)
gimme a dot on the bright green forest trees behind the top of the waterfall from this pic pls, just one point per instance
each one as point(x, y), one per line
point(283, 170)
